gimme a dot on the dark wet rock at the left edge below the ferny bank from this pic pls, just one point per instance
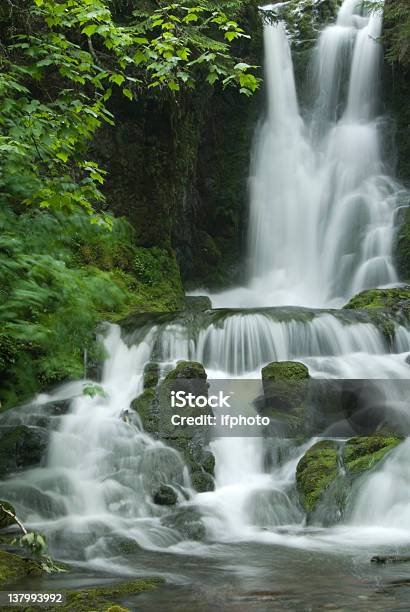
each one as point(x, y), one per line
point(21, 447)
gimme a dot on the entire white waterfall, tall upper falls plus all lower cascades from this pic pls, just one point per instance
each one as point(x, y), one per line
point(321, 229)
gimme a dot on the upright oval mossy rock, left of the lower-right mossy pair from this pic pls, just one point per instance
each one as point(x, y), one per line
point(315, 471)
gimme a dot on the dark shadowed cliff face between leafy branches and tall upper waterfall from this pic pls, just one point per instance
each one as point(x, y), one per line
point(179, 172)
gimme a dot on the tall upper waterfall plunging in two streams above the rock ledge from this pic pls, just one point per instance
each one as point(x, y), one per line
point(322, 201)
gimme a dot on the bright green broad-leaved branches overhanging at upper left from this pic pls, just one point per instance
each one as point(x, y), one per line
point(59, 65)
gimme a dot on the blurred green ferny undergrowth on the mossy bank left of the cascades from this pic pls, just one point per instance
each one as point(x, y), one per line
point(60, 276)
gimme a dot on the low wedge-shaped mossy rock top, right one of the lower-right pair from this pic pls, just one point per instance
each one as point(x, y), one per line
point(363, 453)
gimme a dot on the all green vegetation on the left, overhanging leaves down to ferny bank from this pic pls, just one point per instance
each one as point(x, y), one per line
point(60, 63)
